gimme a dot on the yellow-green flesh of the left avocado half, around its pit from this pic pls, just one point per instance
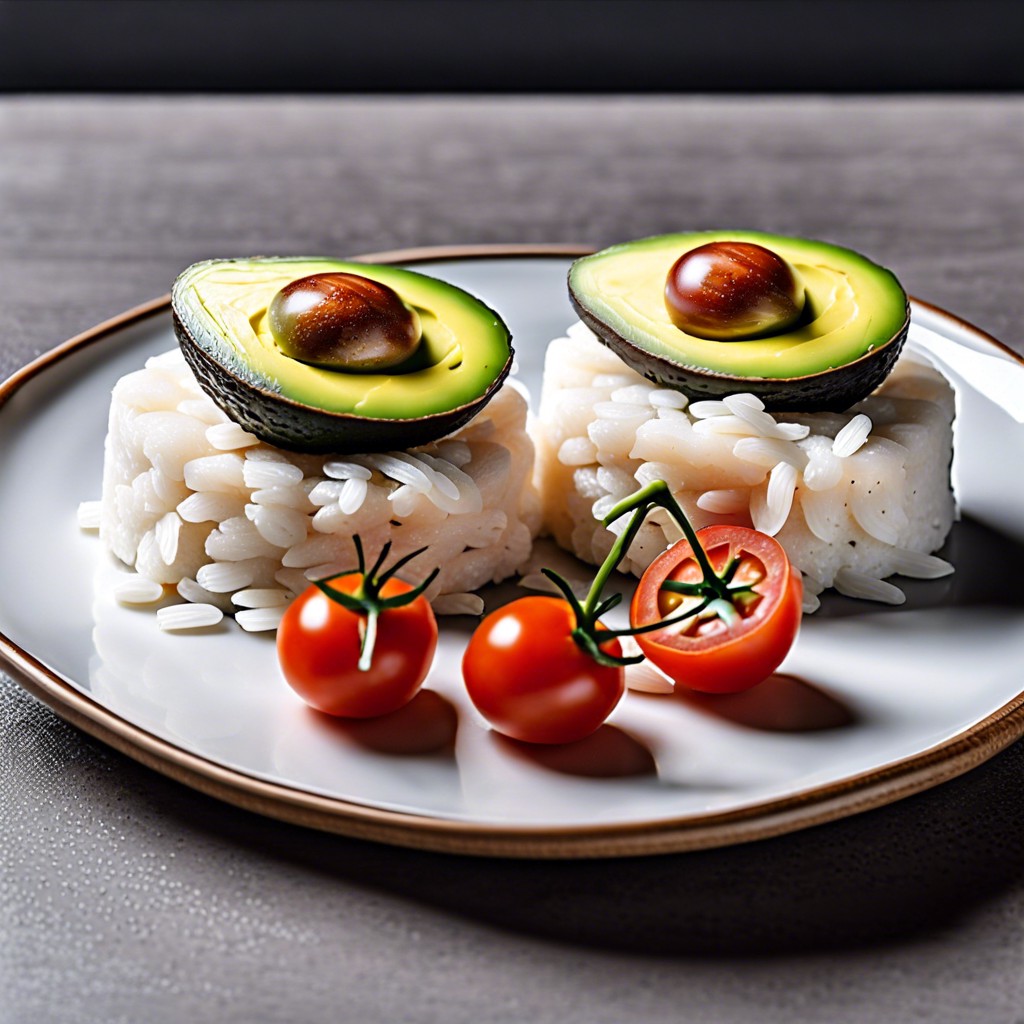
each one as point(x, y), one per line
point(223, 307)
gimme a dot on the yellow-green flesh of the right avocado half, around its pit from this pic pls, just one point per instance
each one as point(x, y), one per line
point(855, 307)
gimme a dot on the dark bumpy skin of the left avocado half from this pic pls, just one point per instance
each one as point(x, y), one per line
point(296, 428)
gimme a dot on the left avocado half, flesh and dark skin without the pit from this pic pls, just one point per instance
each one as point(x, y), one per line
point(221, 320)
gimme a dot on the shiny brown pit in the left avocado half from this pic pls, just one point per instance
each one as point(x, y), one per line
point(344, 322)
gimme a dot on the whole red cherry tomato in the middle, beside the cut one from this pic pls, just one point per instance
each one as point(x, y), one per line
point(532, 681)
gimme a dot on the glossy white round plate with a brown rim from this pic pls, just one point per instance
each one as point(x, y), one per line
point(889, 702)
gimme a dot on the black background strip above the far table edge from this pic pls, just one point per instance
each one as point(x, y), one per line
point(636, 47)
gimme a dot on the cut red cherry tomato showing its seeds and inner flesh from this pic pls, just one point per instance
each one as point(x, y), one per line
point(710, 654)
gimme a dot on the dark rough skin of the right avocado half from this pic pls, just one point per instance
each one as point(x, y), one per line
point(832, 391)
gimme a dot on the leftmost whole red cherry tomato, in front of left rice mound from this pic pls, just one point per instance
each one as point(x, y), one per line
point(319, 645)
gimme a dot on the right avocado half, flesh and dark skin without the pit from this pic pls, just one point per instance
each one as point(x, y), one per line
point(846, 344)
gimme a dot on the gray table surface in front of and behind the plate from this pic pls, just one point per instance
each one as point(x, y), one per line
point(126, 898)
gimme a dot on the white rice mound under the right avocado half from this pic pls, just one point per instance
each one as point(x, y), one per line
point(854, 497)
